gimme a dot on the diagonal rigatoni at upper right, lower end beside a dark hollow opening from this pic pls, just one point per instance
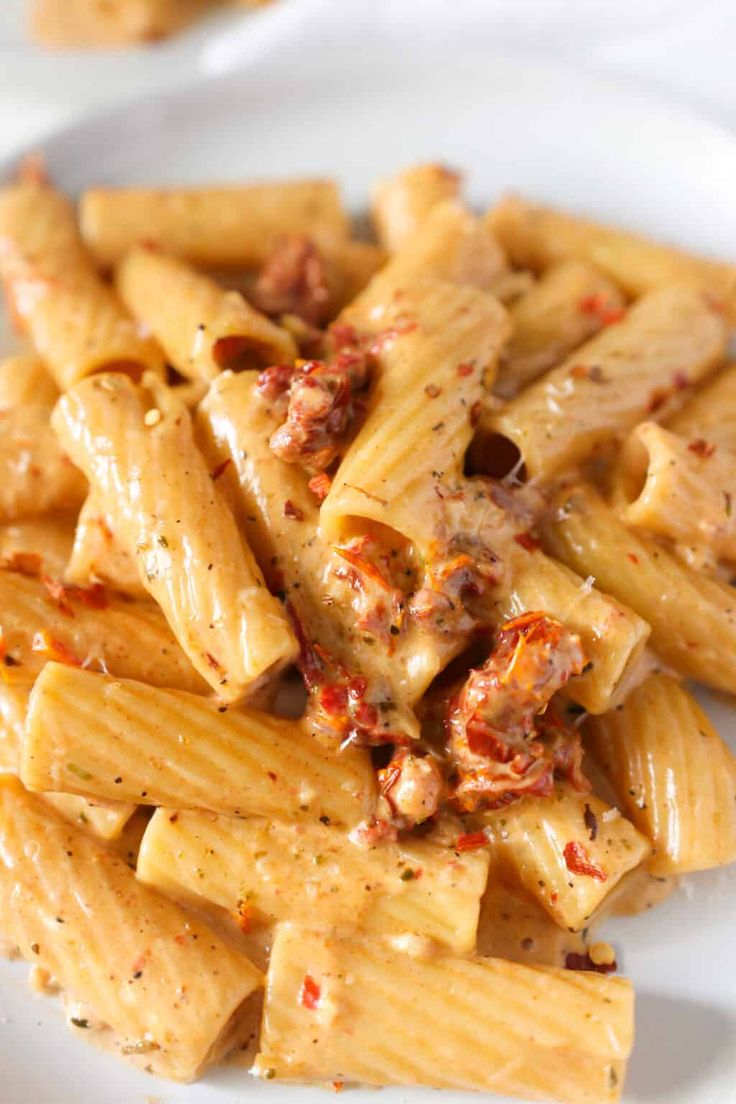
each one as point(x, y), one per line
point(669, 341)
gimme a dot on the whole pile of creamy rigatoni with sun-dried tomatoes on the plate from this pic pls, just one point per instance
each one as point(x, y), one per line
point(347, 595)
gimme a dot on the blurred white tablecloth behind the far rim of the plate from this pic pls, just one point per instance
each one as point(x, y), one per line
point(686, 50)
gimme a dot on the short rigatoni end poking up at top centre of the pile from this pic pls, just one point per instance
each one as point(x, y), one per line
point(403, 203)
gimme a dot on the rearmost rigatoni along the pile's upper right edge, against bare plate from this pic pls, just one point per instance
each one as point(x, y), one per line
point(537, 237)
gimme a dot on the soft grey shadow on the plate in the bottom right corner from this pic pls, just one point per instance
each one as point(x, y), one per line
point(679, 1044)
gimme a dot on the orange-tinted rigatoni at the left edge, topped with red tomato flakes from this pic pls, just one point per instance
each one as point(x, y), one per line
point(127, 639)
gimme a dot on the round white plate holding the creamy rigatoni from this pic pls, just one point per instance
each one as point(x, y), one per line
point(351, 103)
